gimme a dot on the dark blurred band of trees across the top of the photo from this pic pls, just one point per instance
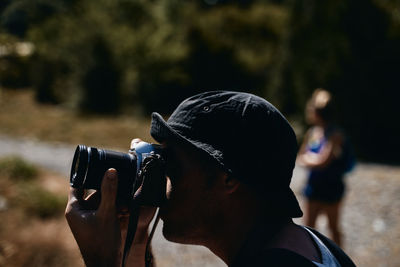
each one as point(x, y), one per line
point(131, 56)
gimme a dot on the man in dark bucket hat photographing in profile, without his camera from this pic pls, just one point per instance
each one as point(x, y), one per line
point(229, 162)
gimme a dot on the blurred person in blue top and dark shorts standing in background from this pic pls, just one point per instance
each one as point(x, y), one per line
point(324, 152)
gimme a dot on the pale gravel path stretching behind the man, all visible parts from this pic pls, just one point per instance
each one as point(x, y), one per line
point(370, 219)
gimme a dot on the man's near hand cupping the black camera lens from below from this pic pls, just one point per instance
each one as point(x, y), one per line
point(94, 223)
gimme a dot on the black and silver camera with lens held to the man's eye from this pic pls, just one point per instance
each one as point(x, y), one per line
point(143, 167)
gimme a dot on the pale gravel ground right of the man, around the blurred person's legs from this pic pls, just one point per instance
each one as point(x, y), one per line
point(371, 214)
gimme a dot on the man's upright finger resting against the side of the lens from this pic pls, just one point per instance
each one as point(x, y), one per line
point(109, 187)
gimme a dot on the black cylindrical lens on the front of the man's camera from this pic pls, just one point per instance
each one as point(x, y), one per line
point(90, 164)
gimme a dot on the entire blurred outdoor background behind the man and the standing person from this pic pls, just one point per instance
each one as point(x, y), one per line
point(91, 72)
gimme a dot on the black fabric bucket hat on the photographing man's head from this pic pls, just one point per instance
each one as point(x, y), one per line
point(245, 134)
